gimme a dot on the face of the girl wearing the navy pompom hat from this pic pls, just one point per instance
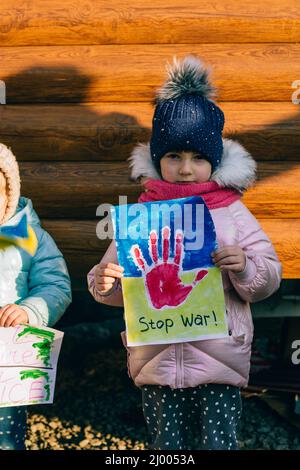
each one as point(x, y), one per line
point(185, 168)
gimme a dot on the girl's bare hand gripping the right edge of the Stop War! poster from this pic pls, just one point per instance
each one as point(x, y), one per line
point(230, 258)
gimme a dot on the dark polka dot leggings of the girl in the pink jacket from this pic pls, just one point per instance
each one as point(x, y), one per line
point(211, 411)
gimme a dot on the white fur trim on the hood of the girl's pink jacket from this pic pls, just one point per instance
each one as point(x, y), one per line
point(237, 168)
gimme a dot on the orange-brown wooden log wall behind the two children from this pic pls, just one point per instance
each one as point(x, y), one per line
point(80, 78)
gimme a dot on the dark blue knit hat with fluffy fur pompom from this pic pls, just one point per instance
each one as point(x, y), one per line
point(185, 118)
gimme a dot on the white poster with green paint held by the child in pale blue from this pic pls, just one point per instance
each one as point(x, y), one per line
point(28, 359)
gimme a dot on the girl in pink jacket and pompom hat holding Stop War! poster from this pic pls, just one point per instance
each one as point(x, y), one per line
point(197, 382)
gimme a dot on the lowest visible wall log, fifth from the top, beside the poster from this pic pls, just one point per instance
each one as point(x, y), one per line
point(82, 249)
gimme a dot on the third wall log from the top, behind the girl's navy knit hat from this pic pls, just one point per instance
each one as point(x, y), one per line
point(109, 131)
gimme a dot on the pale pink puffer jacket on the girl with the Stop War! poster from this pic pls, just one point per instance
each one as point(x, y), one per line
point(225, 360)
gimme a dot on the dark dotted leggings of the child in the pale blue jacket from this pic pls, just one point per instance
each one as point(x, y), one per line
point(13, 428)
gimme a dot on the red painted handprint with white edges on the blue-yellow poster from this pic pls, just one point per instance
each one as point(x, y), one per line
point(162, 279)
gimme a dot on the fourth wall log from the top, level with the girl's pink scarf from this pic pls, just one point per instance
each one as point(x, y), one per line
point(70, 190)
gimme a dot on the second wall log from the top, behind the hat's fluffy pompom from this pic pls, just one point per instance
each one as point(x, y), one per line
point(245, 72)
